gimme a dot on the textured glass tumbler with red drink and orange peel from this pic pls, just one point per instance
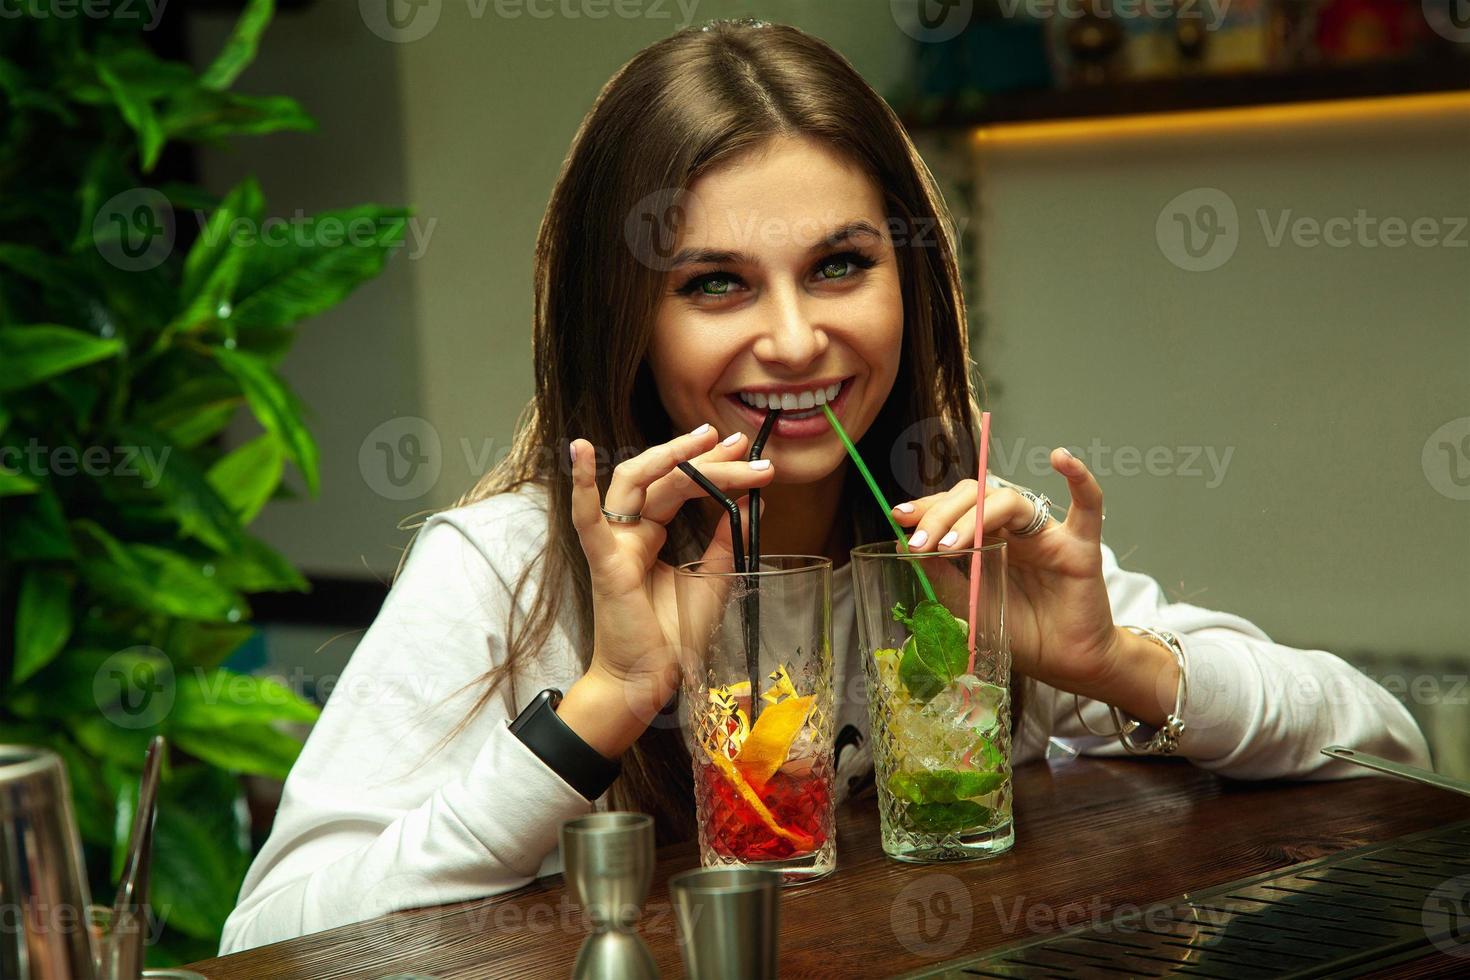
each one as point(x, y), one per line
point(756, 653)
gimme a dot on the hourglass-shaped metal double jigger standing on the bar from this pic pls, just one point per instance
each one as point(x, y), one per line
point(608, 860)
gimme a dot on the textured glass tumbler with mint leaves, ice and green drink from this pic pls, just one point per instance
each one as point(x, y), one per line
point(940, 719)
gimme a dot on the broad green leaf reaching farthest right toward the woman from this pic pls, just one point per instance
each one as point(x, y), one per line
point(317, 267)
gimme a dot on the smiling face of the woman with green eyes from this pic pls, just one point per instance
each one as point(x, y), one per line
point(784, 286)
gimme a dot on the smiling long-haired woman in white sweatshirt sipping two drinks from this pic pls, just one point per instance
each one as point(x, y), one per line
point(740, 215)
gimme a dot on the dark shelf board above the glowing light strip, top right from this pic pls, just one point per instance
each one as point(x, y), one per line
point(1205, 92)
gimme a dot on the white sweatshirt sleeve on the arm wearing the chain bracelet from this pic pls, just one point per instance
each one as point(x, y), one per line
point(1256, 709)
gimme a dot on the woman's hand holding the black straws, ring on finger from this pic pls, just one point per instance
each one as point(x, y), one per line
point(636, 669)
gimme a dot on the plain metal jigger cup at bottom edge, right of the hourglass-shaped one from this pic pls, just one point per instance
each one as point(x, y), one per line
point(728, 922)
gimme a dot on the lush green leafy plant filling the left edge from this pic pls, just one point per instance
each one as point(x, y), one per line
point(126, 350)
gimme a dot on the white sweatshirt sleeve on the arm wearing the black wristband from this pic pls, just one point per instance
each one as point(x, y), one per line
point(373, 819)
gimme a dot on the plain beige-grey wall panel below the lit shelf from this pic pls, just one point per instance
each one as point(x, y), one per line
point(1324, 371)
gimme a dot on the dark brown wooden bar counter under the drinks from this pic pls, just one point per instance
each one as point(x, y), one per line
point(1094, 838)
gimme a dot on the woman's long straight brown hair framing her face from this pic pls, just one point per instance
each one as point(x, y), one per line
point(680, 108)
